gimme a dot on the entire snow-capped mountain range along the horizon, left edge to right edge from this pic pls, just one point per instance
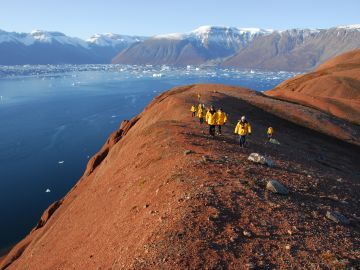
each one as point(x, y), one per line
point(249, 48)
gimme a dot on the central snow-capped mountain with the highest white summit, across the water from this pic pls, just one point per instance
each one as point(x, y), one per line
point(203, 44)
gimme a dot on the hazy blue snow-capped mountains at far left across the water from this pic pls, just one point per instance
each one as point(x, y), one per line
point(44, 47)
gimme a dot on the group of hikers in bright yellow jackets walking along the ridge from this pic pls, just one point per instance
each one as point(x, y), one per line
point(217, 118)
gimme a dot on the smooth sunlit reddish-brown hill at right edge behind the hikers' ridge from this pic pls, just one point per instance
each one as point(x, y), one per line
point(334, 87)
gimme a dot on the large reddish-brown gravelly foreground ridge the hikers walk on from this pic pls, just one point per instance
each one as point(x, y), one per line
point(144, 204)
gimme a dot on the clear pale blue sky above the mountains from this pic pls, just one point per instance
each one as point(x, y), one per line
point(148, 17)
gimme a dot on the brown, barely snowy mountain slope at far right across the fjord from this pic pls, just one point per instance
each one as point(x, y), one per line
point(296, 49)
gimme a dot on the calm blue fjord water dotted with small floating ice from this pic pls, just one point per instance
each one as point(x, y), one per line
point(53, 118)
